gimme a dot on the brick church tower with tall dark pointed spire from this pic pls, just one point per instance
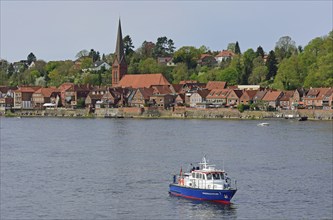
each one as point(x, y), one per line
point(119, 65)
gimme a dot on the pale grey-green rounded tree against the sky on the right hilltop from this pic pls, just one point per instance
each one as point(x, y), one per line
point(285, 47)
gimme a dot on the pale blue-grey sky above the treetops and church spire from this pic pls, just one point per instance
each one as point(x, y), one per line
point(58, 30)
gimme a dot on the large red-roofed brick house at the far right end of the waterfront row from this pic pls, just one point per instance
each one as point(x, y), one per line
point(314, 98)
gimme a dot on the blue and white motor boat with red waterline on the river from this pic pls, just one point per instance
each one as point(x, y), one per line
point(204, 183)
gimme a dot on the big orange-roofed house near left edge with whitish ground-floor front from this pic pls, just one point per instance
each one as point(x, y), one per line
point(23, 97)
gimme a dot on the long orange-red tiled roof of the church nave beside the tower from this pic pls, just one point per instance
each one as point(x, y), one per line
point(143, 80)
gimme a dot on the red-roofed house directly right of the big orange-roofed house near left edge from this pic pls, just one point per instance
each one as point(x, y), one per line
point(45, 95)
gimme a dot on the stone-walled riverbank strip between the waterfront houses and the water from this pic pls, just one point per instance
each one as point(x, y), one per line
point(182, 113)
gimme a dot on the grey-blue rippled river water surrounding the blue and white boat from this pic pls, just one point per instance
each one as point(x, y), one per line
point(70, 168)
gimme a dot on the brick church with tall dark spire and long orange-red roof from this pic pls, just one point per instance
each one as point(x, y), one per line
point(120, 78)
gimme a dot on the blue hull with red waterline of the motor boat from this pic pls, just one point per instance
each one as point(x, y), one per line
point(220, 196)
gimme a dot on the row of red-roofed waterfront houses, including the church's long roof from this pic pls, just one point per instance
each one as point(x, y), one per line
point(154, 90)
